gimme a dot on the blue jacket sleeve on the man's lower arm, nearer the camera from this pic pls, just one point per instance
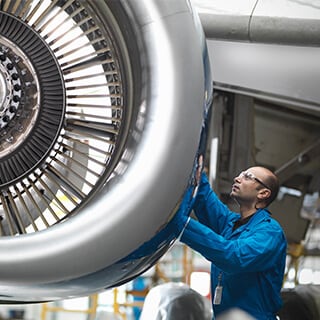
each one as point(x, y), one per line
point(255, 252)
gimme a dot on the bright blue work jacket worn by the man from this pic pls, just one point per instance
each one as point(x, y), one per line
point(250, 261)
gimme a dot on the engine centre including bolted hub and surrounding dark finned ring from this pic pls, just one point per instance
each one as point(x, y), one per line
point(32, 100)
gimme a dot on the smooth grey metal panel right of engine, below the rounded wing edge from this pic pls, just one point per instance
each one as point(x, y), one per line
point(278, 73)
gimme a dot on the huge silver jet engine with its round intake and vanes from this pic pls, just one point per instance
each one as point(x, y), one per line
point(103, 105)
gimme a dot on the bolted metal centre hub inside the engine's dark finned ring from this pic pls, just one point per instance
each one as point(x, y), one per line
point(18, 97)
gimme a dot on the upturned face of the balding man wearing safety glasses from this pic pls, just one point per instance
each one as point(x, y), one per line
point(248, 184)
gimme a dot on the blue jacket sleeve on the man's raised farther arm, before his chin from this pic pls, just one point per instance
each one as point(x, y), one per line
point(209, 209)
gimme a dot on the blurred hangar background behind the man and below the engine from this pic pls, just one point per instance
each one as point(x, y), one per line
point(245, 129)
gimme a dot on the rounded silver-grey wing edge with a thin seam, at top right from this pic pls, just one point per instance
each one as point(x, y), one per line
point(265, 21)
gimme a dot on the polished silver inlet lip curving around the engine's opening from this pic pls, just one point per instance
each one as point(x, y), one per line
point(132, 209)
